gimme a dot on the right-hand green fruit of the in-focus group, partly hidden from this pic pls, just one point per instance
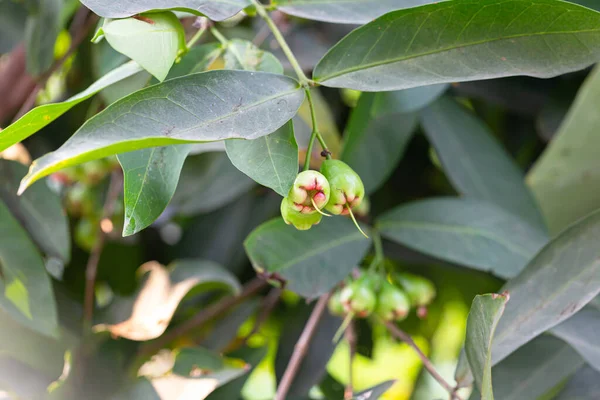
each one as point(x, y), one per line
point(347, 189)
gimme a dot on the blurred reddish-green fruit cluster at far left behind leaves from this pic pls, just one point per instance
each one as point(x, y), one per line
point(84, 189)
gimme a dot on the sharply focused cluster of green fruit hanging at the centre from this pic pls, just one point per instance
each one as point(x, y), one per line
point(336, 189)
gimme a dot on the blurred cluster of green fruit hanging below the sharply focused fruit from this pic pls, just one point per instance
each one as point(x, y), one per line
point(372, 294)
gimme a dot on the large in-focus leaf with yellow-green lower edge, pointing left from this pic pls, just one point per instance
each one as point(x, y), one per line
point(208, 106)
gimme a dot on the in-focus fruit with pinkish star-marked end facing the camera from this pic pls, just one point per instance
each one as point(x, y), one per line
point(310, 190)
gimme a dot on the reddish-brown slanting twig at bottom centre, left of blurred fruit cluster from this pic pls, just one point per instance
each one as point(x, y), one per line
point(301, 348)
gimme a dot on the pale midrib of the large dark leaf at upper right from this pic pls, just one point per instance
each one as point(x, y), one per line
point(443, 50)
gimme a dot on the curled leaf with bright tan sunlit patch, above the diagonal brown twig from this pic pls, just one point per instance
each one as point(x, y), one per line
point(147, 314)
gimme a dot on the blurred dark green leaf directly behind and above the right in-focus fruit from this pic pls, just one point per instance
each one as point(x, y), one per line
point(375, 139)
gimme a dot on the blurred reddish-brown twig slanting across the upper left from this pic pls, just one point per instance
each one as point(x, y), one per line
point(80, 34)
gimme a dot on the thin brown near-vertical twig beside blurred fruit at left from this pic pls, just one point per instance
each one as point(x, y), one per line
point(91, 269)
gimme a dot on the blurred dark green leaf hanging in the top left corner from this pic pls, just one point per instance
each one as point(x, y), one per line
point(41, 31)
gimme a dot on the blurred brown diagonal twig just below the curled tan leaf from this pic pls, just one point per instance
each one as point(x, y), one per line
point(214, 310)
